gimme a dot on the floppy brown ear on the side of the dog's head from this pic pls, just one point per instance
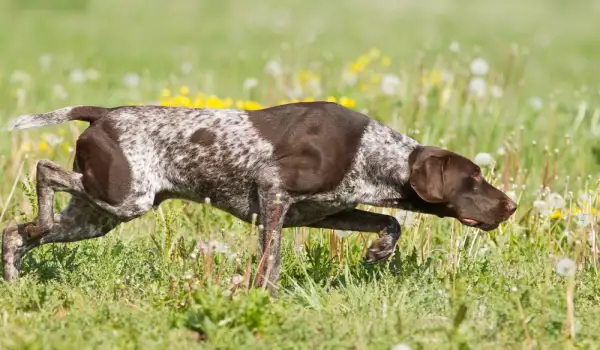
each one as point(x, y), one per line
point(427, 178)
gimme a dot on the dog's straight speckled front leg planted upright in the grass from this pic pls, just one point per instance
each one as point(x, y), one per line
point(274, 205)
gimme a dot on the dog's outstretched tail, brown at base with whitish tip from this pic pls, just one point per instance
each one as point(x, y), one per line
point(83, 113)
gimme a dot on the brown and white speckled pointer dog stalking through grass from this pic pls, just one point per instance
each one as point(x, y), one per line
point(299, 164)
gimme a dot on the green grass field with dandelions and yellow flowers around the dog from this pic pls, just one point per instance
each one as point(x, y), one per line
point(515, 81)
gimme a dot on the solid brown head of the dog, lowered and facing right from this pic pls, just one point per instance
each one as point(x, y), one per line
point(455, 186)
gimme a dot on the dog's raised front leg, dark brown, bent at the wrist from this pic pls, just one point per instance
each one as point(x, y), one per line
point(386, 226)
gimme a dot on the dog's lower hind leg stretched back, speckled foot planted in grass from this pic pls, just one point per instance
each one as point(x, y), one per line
point(79, 221)
